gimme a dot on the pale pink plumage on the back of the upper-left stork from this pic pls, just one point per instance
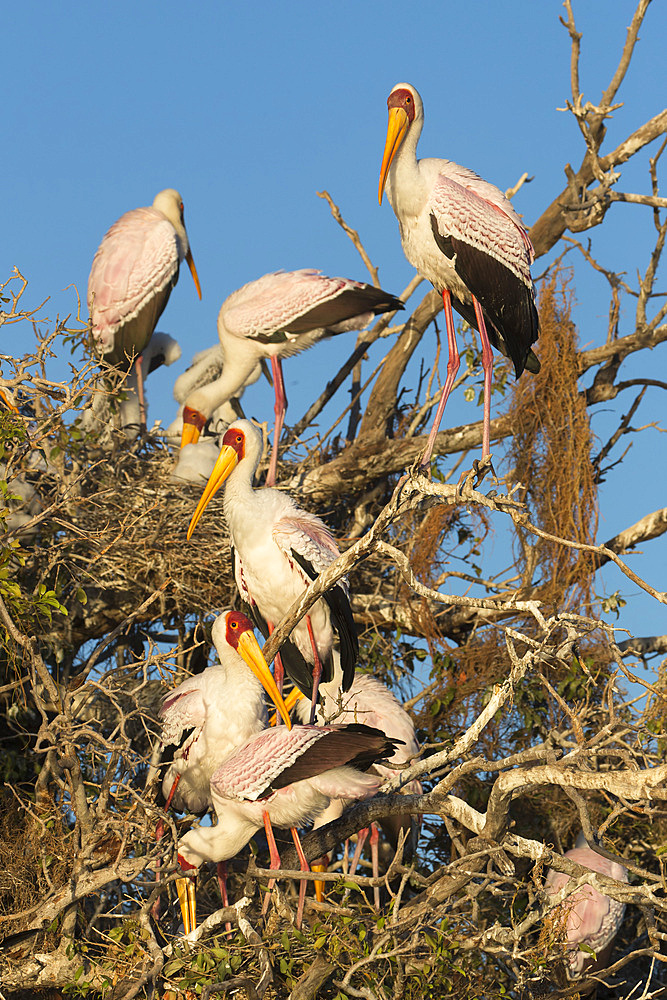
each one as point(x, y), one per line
point(137, 259)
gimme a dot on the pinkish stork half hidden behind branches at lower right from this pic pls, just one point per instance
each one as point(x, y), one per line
point(593, 919)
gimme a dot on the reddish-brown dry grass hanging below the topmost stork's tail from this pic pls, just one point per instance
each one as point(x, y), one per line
point(551, 451)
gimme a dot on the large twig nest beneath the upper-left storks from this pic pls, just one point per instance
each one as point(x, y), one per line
point(112, 541)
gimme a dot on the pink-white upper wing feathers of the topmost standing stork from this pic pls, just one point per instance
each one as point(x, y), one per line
point(487, 226)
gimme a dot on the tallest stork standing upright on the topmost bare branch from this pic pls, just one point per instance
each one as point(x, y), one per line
point(463, 235)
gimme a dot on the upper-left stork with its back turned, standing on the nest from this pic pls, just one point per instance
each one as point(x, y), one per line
point(131, 278)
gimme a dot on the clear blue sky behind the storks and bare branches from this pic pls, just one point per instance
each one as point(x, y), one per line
point(249, 109)
